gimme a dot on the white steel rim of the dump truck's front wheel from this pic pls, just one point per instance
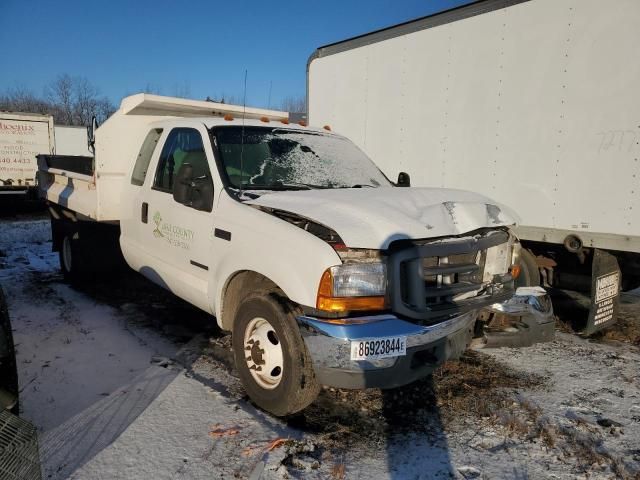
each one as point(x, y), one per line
point(263, 353)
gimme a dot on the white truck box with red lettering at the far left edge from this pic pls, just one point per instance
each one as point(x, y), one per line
point(22, 137)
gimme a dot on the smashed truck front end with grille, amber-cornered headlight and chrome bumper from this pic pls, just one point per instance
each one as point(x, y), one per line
point(425, 312)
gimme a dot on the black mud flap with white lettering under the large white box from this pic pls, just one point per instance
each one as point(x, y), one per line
point(605, 292)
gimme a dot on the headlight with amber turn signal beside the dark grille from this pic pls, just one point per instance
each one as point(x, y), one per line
point(354, 286)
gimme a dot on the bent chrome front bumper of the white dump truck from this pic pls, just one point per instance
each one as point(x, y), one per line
point(329, 344)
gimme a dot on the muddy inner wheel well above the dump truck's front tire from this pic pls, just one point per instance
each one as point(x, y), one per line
point(240, 286)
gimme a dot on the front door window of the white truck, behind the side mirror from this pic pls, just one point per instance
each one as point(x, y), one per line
point(183, 145)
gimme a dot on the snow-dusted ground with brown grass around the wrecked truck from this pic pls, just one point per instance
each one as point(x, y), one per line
point(123, 383)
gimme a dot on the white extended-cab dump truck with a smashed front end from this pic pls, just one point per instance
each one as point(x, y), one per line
point(325, 272)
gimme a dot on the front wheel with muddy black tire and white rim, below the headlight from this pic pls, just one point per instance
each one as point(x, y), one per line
point(280, 383)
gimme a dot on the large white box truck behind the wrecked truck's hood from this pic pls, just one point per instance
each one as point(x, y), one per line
point(533, 103)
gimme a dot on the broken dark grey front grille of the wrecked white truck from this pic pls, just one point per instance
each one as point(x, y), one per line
point(442, 278)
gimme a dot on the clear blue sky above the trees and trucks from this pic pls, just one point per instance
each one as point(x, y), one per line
point(194, 48)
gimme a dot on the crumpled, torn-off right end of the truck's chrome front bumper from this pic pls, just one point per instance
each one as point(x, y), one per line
point(521, 321)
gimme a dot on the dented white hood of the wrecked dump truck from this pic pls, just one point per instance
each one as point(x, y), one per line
point(375, 217)
